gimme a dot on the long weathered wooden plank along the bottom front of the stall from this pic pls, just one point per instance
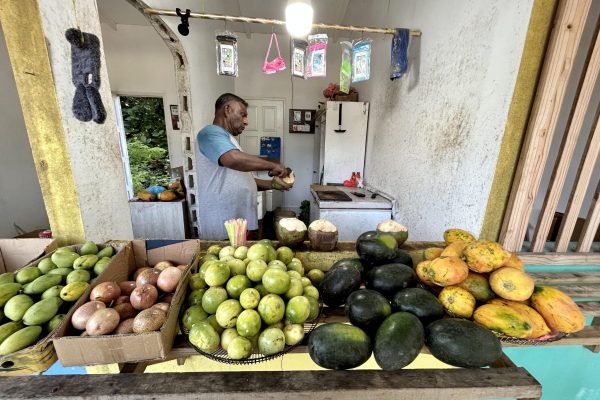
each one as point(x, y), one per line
point(413, 384)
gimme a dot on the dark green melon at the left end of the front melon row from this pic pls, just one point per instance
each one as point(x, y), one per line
point(339, 346)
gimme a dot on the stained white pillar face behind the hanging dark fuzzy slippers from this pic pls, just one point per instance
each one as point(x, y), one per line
point(93, 148)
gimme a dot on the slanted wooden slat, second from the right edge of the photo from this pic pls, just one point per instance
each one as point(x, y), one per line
point(582, 182)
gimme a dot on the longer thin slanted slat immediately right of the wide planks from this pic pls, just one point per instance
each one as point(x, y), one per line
point(567, 148)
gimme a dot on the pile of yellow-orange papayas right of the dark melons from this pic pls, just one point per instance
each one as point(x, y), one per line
point(479, 279)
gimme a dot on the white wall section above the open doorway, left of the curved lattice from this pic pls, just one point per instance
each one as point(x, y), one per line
point(140, 64)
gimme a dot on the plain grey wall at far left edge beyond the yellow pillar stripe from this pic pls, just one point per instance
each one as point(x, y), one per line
point(20, 195)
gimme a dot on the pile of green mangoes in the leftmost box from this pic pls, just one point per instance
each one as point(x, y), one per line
point(35, 299)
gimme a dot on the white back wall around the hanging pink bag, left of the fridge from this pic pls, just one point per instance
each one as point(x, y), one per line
point(252, 82)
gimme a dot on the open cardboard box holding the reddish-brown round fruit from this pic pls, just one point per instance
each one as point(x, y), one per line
point(91, 350)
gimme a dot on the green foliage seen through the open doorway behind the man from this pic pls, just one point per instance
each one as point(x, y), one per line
point(145, 130)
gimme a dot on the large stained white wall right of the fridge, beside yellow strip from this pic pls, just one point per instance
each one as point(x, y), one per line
point(434, 135)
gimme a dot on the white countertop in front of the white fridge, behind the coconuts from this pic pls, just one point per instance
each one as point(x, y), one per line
point(357, 202)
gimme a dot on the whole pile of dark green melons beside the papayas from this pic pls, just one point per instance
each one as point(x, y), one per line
point(391, 317)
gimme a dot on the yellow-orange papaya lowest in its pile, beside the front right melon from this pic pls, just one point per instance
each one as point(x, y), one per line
point(504, 319)
